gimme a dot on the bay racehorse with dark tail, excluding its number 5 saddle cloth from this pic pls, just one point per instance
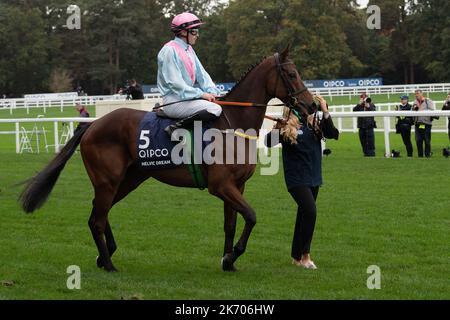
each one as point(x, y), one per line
point(108, 149)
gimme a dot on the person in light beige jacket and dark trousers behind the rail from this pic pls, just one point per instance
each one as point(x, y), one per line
point(423, 124)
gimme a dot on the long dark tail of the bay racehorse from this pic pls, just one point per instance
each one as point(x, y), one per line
point(39, 187)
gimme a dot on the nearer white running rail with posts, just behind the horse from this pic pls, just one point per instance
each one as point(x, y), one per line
point(386, 115)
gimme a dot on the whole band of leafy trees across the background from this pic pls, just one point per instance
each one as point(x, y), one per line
point(120, 39)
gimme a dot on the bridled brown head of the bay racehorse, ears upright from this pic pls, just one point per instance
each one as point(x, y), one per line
point(287, 85)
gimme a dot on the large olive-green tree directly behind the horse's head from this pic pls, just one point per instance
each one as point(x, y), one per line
point(257, 28)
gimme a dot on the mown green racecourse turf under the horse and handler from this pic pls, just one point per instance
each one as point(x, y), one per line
point(393, 213)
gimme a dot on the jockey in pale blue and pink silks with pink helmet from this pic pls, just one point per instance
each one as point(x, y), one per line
point(179, 70)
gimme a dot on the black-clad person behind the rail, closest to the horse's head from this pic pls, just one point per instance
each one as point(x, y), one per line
point(366, 126)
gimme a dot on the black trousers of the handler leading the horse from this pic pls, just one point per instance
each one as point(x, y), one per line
point(305, 197)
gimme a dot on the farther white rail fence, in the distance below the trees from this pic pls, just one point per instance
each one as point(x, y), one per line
point(45, 103)
